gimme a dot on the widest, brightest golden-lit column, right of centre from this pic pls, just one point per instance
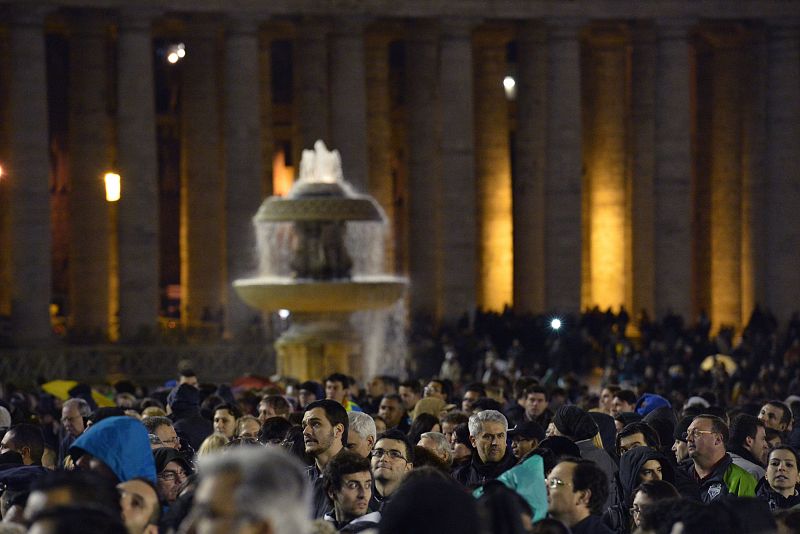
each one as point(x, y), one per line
point(605, 161)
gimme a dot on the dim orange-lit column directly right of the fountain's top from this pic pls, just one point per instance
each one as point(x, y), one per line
point(379, 138)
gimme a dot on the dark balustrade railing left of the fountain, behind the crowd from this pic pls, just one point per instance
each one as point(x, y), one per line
point(146, 365)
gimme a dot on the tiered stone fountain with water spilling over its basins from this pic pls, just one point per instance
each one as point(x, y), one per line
point(321, 257)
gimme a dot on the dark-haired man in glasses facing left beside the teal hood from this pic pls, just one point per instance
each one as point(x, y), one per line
point(576, 493)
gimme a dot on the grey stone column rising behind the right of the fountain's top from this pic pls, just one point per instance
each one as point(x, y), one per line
point(348, 103)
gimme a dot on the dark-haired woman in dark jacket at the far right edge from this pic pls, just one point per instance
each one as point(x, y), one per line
point(779, 486)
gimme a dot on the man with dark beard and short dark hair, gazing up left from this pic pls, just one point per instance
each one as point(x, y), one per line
point(325, 428)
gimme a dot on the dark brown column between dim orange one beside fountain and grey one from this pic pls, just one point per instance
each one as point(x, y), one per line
point(424, 168)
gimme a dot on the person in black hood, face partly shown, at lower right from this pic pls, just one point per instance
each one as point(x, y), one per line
point(636, 466)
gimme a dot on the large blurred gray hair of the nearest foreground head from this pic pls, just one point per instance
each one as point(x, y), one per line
point(271, 485)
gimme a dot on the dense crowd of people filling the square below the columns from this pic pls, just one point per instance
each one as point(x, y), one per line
point(504, 428)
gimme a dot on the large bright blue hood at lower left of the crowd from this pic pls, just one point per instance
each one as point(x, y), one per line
point(122, 444)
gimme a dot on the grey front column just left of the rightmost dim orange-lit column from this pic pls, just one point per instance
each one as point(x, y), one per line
point(673, 170)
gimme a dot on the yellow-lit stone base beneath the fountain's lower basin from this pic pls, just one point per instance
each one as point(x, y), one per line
point(317, 345)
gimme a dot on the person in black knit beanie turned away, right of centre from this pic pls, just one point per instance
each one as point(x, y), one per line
point(577, 425)
